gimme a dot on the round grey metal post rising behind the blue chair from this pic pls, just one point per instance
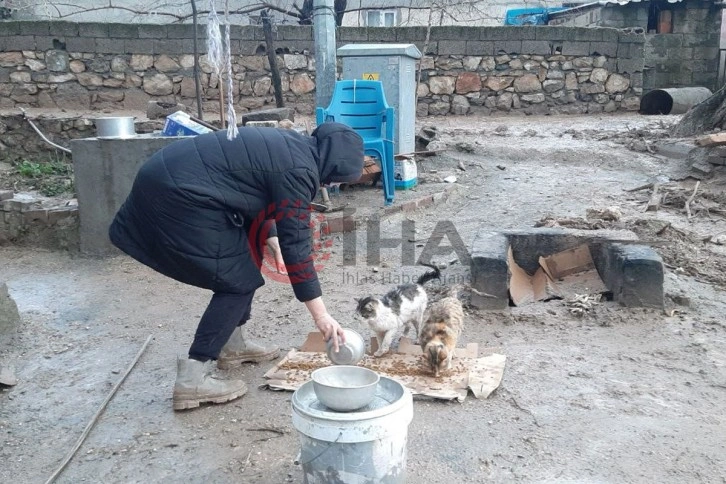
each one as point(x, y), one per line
point(325, 58)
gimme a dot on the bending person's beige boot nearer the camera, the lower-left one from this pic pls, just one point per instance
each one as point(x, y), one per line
point(194, 385)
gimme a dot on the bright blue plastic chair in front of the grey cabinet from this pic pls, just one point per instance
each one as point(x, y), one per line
point(362, 106)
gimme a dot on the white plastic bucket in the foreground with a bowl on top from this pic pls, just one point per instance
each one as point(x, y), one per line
point(363, 447)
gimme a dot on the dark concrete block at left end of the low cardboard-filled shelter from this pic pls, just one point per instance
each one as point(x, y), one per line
point(490, 270)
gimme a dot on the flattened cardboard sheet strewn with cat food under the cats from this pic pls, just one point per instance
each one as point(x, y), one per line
point(481, 375)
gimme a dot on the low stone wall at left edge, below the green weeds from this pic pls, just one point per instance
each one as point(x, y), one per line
point(38, 222)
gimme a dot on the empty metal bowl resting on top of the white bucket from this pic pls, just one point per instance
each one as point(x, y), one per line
point(345, 388)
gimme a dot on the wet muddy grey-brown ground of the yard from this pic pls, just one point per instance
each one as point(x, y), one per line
point(618, 395)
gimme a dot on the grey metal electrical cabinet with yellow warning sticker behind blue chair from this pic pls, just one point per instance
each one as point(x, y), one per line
point(395, 66)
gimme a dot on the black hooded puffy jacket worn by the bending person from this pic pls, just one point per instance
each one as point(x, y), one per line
point(200, 209)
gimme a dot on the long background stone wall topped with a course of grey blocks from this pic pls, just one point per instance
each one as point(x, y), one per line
point(466, 69)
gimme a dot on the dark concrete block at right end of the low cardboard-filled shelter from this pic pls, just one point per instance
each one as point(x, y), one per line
point(634, 275)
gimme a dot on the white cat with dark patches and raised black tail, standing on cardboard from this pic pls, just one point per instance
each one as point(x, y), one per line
point(402, 306)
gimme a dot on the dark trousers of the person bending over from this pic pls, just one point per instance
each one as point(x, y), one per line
point(224, 313)
